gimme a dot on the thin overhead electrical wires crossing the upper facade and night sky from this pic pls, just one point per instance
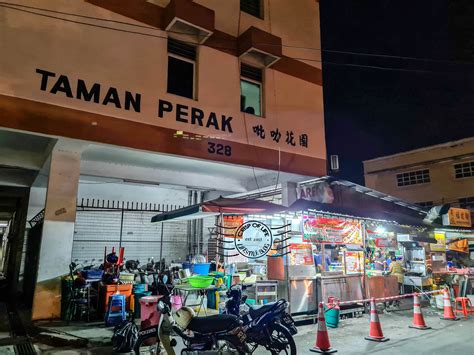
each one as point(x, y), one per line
point(15, 6)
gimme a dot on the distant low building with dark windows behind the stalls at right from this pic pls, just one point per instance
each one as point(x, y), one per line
point(434, 175)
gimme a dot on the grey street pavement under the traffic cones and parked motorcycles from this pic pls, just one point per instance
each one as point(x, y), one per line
point(445, 337)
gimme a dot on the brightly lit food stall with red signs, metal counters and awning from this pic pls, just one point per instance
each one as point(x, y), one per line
point(279, 243)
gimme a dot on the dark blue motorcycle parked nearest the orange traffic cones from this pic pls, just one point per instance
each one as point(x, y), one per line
point(269, 325)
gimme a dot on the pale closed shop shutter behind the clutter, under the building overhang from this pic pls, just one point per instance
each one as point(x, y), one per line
point(97, 229)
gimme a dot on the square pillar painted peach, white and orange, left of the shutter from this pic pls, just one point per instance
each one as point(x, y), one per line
point(58, 230)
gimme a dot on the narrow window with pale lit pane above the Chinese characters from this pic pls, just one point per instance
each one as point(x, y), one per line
point(251, 90)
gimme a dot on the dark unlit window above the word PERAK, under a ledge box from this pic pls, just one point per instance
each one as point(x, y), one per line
point(181, 68)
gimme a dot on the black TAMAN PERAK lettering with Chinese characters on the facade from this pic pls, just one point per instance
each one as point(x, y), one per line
point(215, 123)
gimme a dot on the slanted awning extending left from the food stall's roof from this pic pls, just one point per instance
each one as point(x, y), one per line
point(218, 206)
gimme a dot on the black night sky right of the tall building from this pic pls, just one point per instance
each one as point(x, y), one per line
point(371, 112)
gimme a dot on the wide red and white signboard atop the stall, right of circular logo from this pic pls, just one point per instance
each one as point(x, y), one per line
point(331, 231)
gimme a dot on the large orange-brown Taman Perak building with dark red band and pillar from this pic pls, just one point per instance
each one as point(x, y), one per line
point(162, 102)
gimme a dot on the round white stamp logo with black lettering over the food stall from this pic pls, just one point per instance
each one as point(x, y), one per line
point(253, 239)
